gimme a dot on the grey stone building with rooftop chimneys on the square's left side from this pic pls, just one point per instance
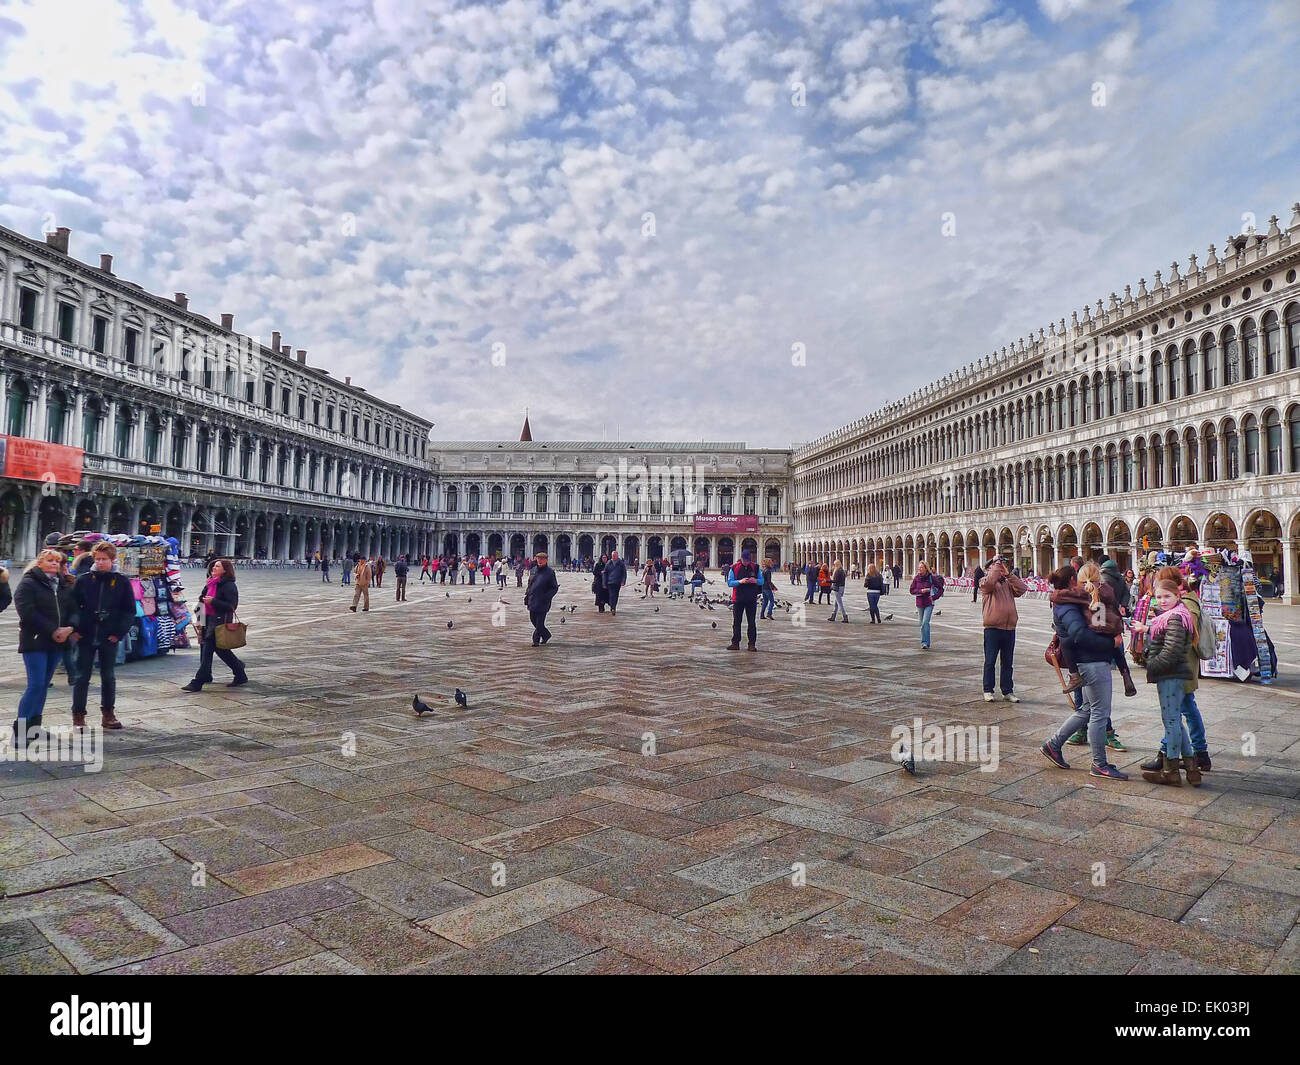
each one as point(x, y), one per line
point(219, 440)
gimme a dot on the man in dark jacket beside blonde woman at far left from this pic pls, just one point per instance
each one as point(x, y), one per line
point(105, 613)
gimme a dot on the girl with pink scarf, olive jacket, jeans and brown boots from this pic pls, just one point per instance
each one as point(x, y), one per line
point(1169, 637)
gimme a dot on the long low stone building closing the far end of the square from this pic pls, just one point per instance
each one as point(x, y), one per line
point(579, 501)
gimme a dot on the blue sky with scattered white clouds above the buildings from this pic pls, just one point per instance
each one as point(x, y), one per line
point(643, 207)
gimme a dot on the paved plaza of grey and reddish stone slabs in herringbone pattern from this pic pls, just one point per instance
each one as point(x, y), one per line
point(761, 829)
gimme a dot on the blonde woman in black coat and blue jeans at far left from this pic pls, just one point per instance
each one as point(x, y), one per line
point(45, 607)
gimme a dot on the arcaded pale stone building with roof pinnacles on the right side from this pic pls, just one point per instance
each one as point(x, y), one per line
point(1165, 417)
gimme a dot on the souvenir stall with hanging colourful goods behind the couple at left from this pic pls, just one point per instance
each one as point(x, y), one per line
point(153, 566)
